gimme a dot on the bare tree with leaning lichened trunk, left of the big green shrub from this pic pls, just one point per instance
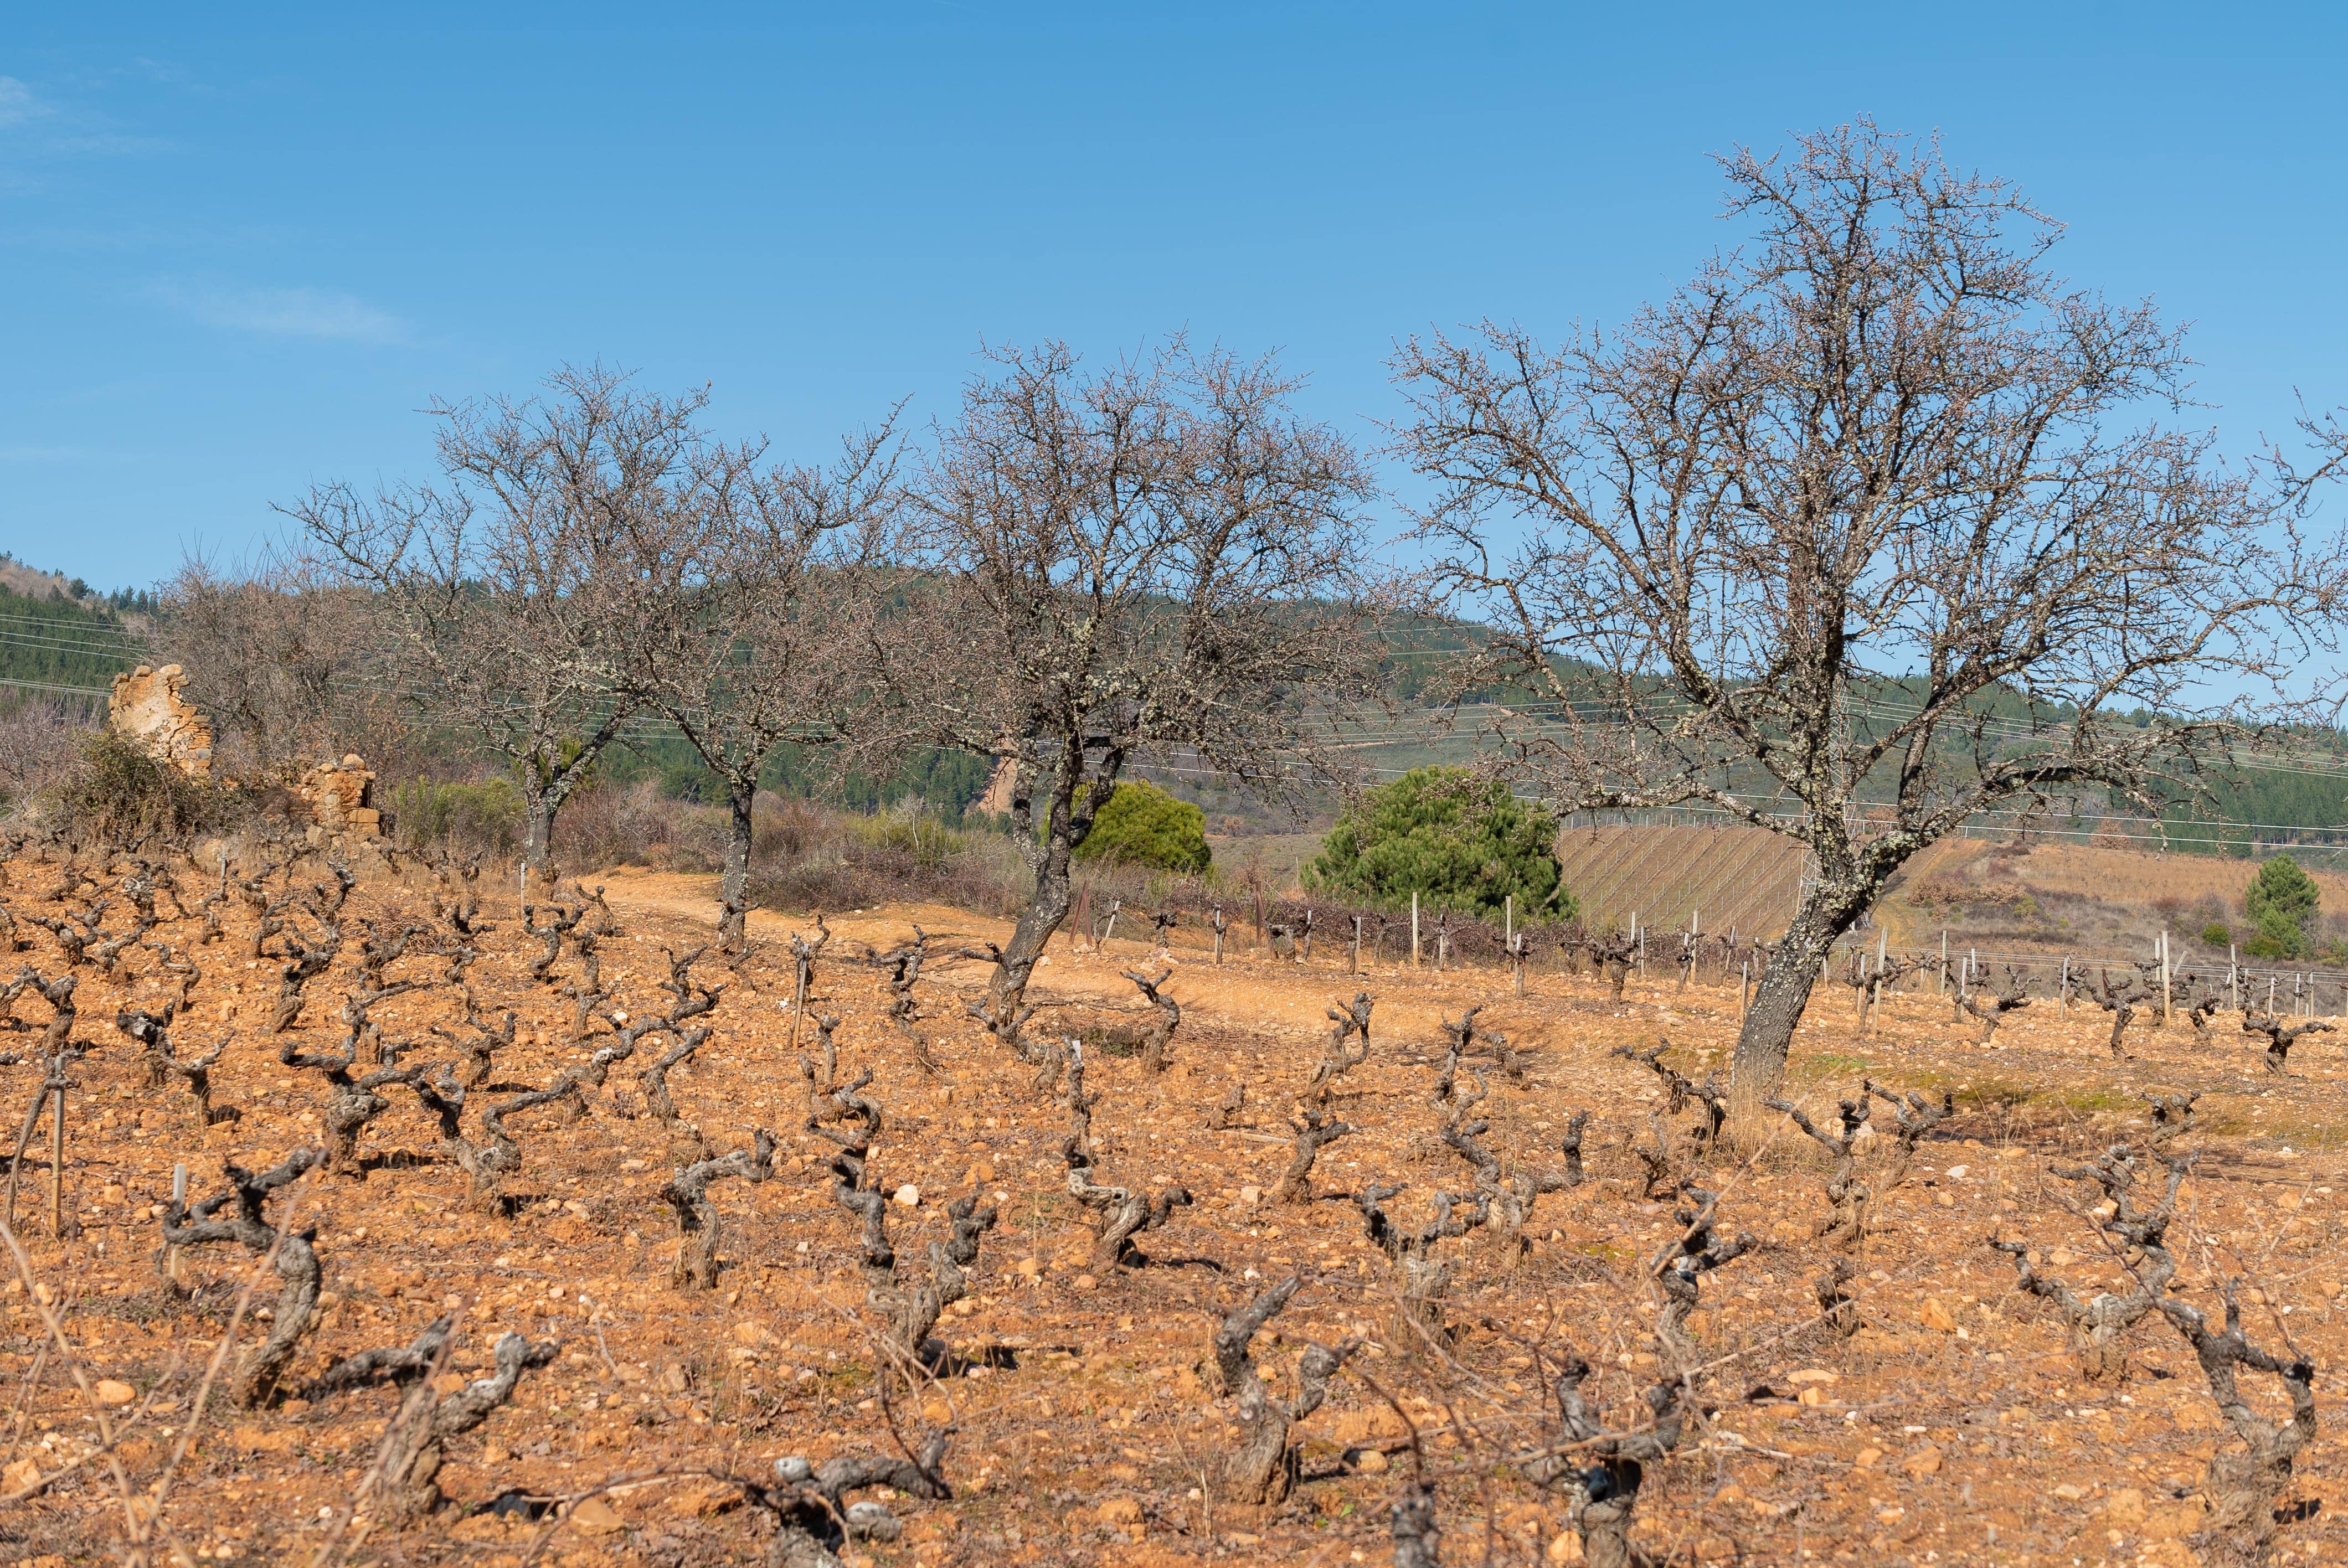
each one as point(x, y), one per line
point(1135, 562)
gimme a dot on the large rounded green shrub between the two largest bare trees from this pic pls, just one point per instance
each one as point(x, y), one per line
point(1452, 839)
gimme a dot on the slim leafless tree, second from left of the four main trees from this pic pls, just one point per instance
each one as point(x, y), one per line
point(748, 600)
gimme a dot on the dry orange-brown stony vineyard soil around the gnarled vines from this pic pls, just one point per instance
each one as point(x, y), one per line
point(1955, 1428)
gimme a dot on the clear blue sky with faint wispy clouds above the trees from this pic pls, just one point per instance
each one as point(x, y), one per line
point(238, 250)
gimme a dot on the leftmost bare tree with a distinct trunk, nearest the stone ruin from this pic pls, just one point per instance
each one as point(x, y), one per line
point(499, 588)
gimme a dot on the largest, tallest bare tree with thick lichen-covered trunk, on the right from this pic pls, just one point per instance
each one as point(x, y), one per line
point(1858, 534)
